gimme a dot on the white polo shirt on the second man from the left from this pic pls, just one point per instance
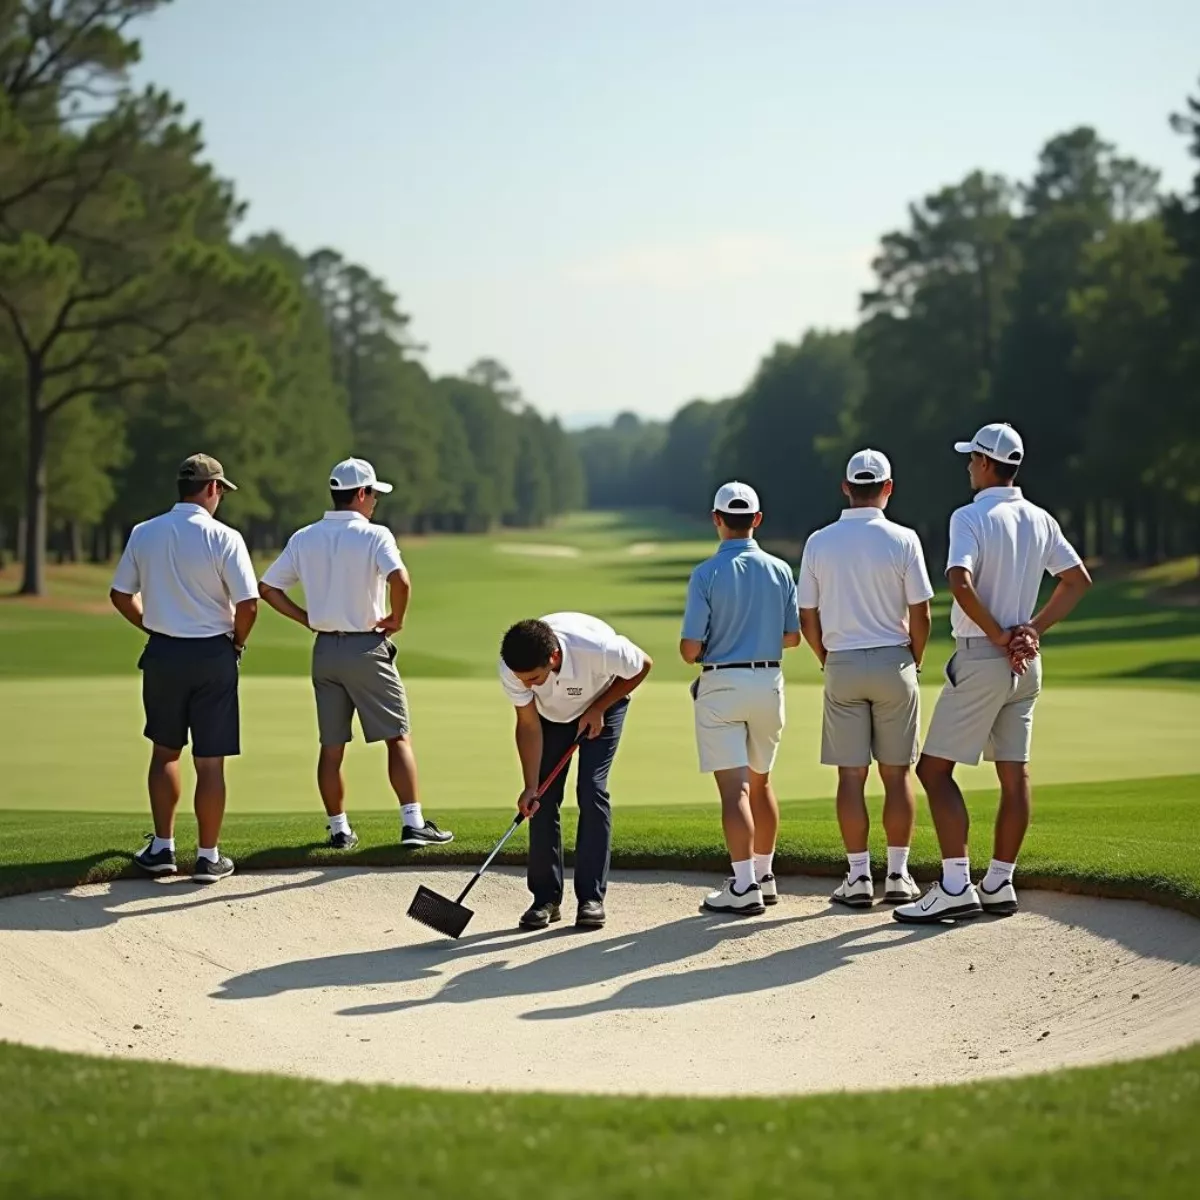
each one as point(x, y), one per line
point(343, 562)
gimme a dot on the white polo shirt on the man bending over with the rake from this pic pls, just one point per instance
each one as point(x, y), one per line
point(595, 655)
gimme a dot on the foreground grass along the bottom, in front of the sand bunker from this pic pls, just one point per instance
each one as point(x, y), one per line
point(85, 1127)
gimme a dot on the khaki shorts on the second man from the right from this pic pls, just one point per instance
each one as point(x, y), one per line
point(872, 707)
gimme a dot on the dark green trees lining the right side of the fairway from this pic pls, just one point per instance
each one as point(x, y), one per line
point(1067, 304)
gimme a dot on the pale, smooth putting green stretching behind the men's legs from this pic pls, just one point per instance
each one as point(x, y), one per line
point(76, 745)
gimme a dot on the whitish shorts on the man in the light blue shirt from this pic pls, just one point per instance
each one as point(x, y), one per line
point(740, 718)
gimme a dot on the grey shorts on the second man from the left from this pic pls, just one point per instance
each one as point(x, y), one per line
point(357, 674)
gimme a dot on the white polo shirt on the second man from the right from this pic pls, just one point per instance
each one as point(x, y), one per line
point(861, 574)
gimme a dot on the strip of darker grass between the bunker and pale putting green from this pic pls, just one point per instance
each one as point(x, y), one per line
point(1133, 838)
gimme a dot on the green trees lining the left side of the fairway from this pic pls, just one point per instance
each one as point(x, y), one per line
point(136, 328)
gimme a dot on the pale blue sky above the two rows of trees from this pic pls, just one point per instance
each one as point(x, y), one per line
point(629, 202)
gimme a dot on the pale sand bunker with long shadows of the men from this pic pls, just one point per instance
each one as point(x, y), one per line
point(320, 974)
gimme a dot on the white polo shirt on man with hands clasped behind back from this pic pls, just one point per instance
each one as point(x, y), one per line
point(1007, 544)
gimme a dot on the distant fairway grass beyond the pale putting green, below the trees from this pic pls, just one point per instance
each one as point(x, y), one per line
point(631, 571)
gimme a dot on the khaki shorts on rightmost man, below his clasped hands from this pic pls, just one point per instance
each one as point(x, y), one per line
point(985, 709)
